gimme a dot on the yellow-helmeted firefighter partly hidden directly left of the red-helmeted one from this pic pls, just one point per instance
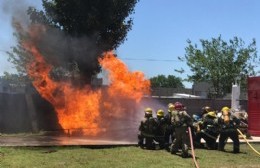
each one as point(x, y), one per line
point(169, 132)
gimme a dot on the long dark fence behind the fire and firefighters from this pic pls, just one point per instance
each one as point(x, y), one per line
point(31, 113)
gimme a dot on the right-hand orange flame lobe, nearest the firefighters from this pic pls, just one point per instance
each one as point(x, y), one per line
point(124, 83)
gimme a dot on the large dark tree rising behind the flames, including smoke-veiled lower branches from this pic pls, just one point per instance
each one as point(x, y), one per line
point(78, 32)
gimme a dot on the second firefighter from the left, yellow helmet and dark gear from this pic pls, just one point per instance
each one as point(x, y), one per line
point(161, 128)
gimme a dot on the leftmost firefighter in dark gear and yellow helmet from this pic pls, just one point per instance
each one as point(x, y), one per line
point(147, 130)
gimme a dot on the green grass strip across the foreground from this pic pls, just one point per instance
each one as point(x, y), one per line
point(123, 157)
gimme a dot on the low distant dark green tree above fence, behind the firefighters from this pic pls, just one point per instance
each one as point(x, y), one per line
point(163, 81)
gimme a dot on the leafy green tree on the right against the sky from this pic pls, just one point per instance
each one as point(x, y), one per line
point(221, 63)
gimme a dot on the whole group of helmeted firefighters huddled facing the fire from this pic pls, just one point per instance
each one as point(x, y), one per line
point(171, 130)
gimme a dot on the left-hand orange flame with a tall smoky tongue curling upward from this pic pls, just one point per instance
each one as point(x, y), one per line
point(76, 108)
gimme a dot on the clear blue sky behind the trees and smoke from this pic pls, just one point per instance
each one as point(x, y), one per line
point(161, 30)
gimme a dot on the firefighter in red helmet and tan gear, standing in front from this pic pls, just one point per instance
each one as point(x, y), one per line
point(180, 121)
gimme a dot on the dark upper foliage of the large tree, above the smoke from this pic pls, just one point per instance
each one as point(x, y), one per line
point(105, 19)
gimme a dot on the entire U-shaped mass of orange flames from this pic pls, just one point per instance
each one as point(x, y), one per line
point(85, 109)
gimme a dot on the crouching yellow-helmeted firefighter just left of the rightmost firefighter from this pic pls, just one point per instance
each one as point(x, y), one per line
point(209, 131)
